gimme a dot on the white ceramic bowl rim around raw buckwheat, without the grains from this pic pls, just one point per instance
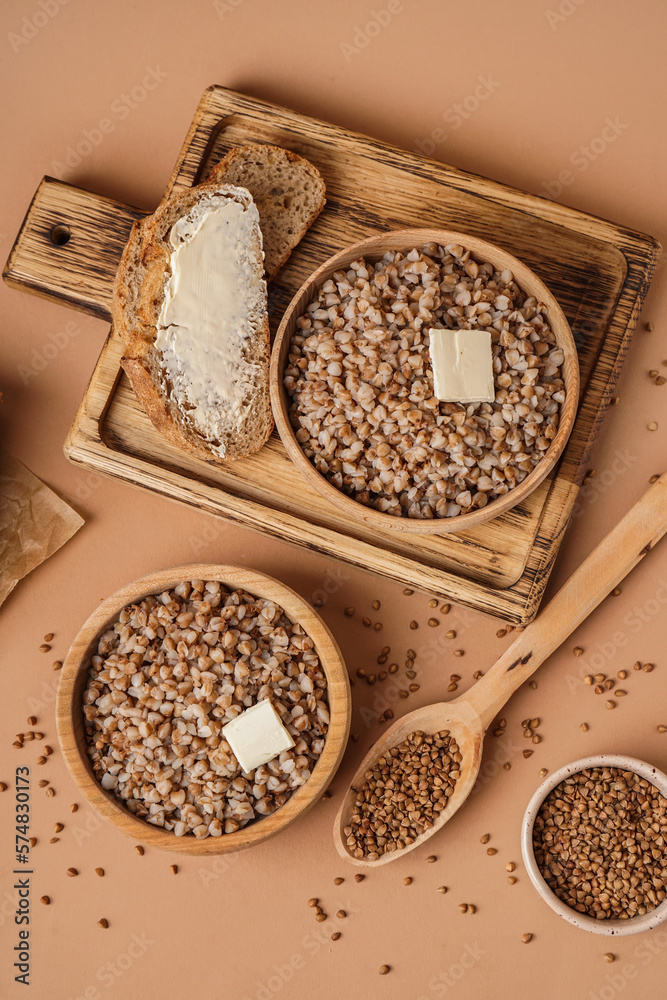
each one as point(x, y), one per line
point(617, 928)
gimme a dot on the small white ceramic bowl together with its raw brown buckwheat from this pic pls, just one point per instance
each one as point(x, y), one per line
point(594, 842)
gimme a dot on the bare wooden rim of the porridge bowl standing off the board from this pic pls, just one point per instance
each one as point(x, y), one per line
point(70, 722)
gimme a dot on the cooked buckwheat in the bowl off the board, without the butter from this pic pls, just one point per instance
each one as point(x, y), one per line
point(169, 673)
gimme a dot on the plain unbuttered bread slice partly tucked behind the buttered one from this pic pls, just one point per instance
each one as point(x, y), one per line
point(288, 191)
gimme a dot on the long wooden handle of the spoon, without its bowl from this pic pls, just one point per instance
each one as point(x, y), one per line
point(618, 553)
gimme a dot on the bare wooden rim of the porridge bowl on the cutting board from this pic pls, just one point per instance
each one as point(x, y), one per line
point(372, 250)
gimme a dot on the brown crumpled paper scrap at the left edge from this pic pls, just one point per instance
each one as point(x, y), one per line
point(34, 522)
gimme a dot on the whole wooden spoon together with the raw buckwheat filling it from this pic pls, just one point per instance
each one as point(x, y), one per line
point(421, 770)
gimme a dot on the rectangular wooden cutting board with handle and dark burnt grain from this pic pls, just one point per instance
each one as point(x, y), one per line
point(69, 247)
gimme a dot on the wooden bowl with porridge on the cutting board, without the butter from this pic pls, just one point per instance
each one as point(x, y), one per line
point(352, 382)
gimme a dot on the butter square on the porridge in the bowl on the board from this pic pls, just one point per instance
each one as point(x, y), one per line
point(462, 364)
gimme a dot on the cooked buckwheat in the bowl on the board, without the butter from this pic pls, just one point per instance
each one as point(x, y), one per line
point(360, 383)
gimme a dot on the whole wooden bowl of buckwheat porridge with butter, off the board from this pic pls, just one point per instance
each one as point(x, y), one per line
point(153, 681)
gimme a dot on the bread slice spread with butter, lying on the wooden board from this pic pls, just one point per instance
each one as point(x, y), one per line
point(194, 321)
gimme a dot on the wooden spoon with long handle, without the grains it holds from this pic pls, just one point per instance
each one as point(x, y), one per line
point(468, 717)
